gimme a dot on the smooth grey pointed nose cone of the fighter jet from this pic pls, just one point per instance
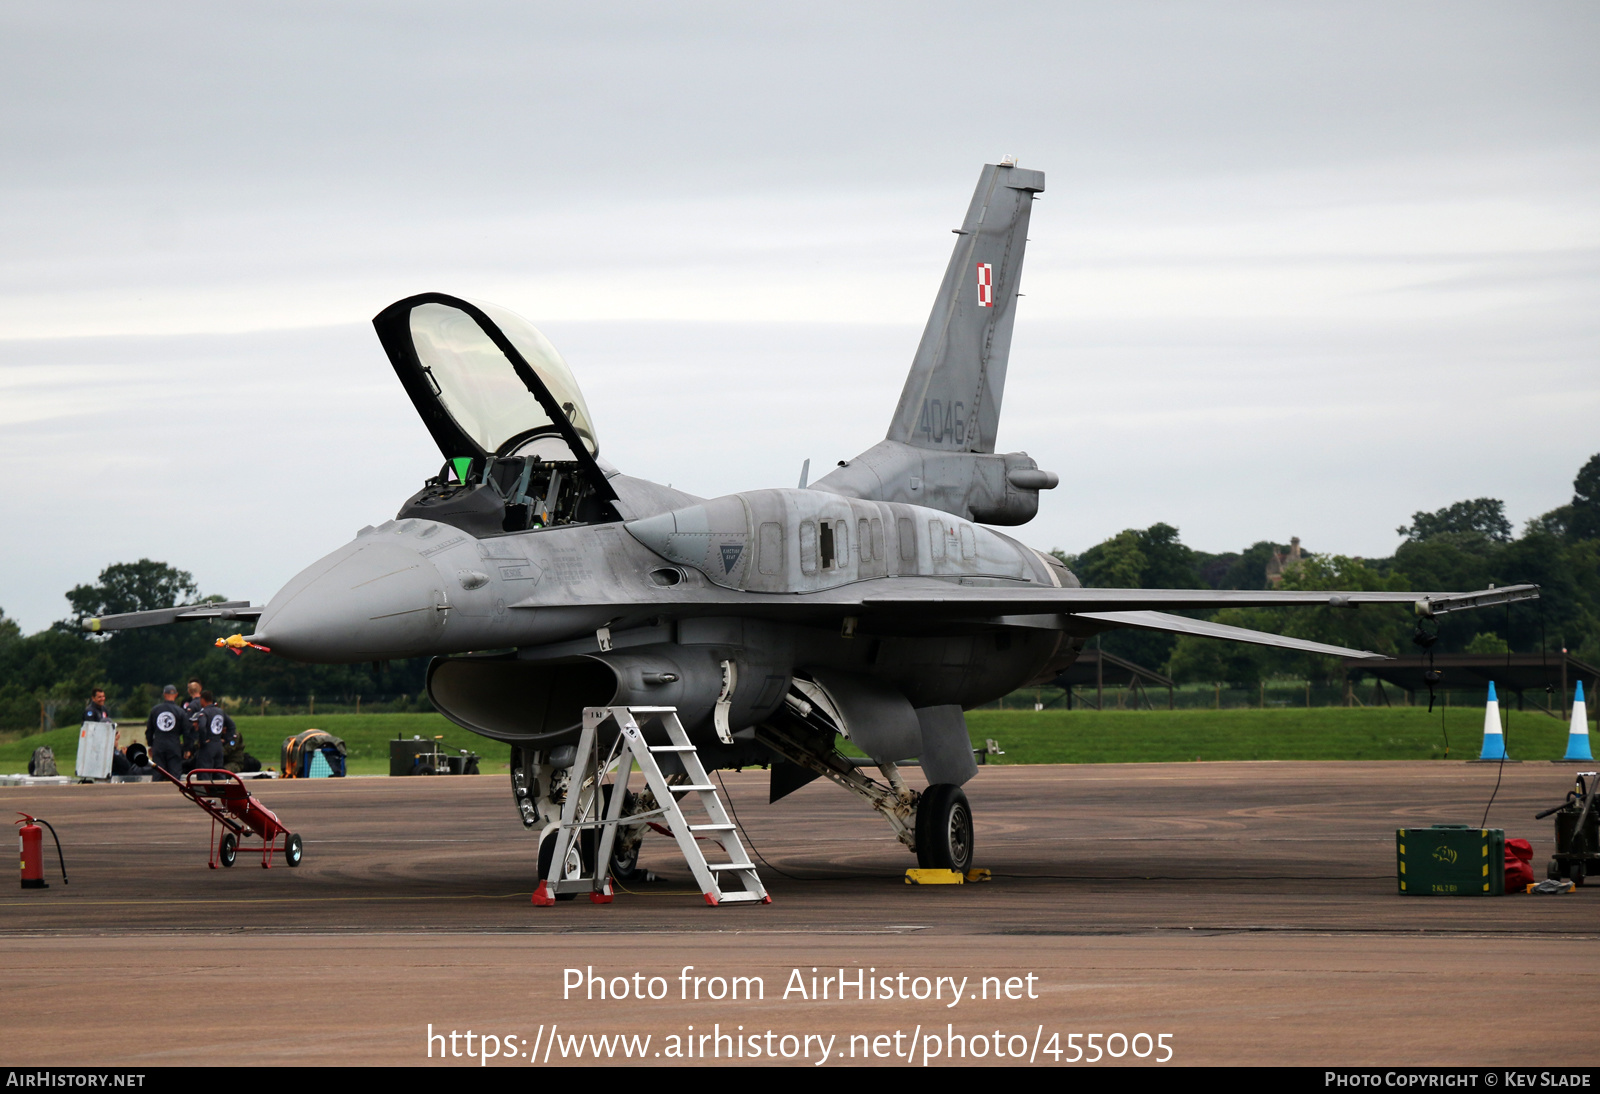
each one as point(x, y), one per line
point(366, 602)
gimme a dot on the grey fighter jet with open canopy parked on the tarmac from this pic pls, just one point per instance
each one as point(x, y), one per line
point(874, 605)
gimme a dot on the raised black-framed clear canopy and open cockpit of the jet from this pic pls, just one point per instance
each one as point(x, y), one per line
point(503, 409)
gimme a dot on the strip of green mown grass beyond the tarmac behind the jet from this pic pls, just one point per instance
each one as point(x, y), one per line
point(1052, 737)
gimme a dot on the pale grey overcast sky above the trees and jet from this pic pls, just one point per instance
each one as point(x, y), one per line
point(1300, 270)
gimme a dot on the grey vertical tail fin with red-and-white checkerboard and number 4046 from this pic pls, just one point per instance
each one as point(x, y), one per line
point(953, 396)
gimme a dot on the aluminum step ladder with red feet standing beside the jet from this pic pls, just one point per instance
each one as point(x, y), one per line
point(586, 810)
